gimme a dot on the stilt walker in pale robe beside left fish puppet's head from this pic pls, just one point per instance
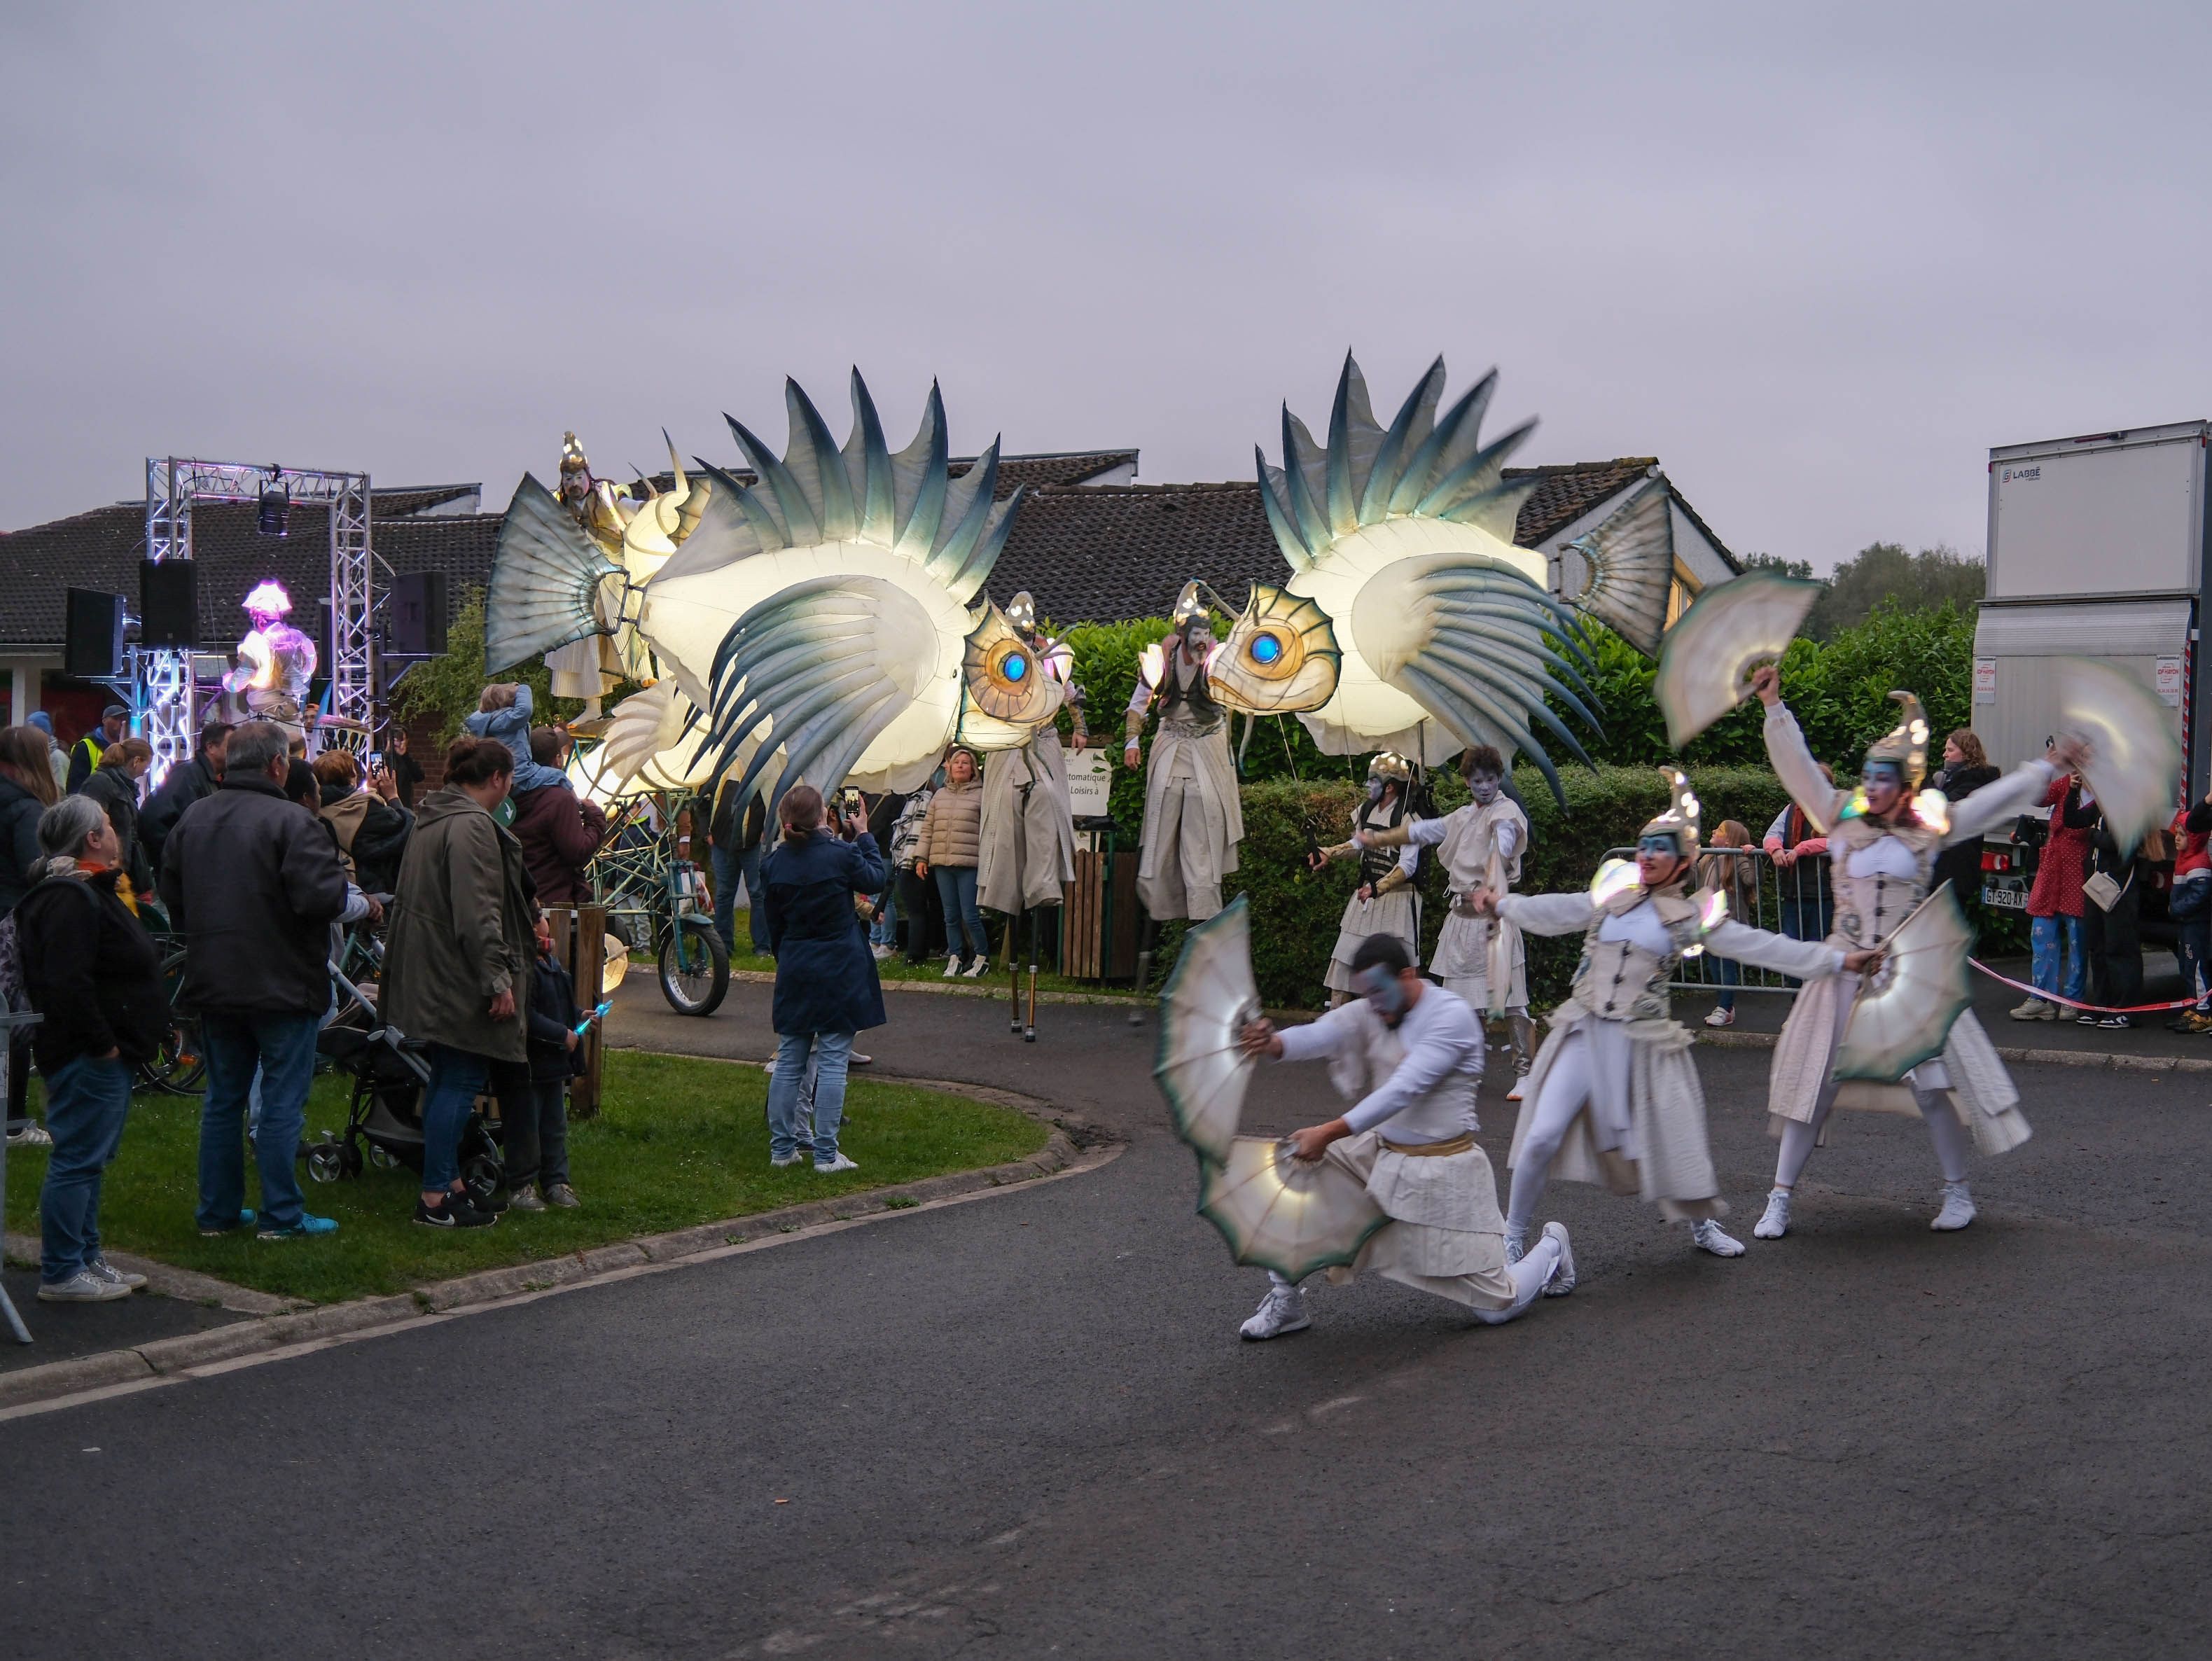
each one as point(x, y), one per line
point(1027, 853)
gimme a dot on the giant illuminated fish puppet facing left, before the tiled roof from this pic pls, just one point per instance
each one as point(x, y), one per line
point(1412, 623)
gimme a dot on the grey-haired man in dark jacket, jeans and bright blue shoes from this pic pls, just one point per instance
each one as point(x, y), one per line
point(253, 886)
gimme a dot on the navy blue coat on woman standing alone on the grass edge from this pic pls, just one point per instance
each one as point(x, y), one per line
point(826, 976)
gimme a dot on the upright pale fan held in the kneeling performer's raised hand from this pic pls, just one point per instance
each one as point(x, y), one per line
point(1204, 1010)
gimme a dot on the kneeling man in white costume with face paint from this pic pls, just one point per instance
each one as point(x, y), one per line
point(1412, 1054)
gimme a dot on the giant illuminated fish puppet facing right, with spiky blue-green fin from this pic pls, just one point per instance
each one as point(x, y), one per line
point(817, 625)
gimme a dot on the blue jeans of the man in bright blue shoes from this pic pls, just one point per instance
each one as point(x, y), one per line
point(284, 1049)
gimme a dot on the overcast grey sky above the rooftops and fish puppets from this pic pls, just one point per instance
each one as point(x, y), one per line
point(1815, 260)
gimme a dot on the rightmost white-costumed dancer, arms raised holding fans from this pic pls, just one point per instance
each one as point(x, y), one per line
point(1884, 844)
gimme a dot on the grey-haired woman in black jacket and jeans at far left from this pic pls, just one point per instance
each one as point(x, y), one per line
point(96, 981)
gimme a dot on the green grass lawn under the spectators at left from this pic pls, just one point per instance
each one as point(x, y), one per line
point(678, 1142)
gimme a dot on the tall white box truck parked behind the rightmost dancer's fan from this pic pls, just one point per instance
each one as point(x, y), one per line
point(2096, 550)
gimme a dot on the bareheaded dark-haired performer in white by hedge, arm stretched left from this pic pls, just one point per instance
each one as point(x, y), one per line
point(1481, 846)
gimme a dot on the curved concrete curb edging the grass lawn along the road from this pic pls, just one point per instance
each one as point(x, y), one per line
point(191, 1355)
